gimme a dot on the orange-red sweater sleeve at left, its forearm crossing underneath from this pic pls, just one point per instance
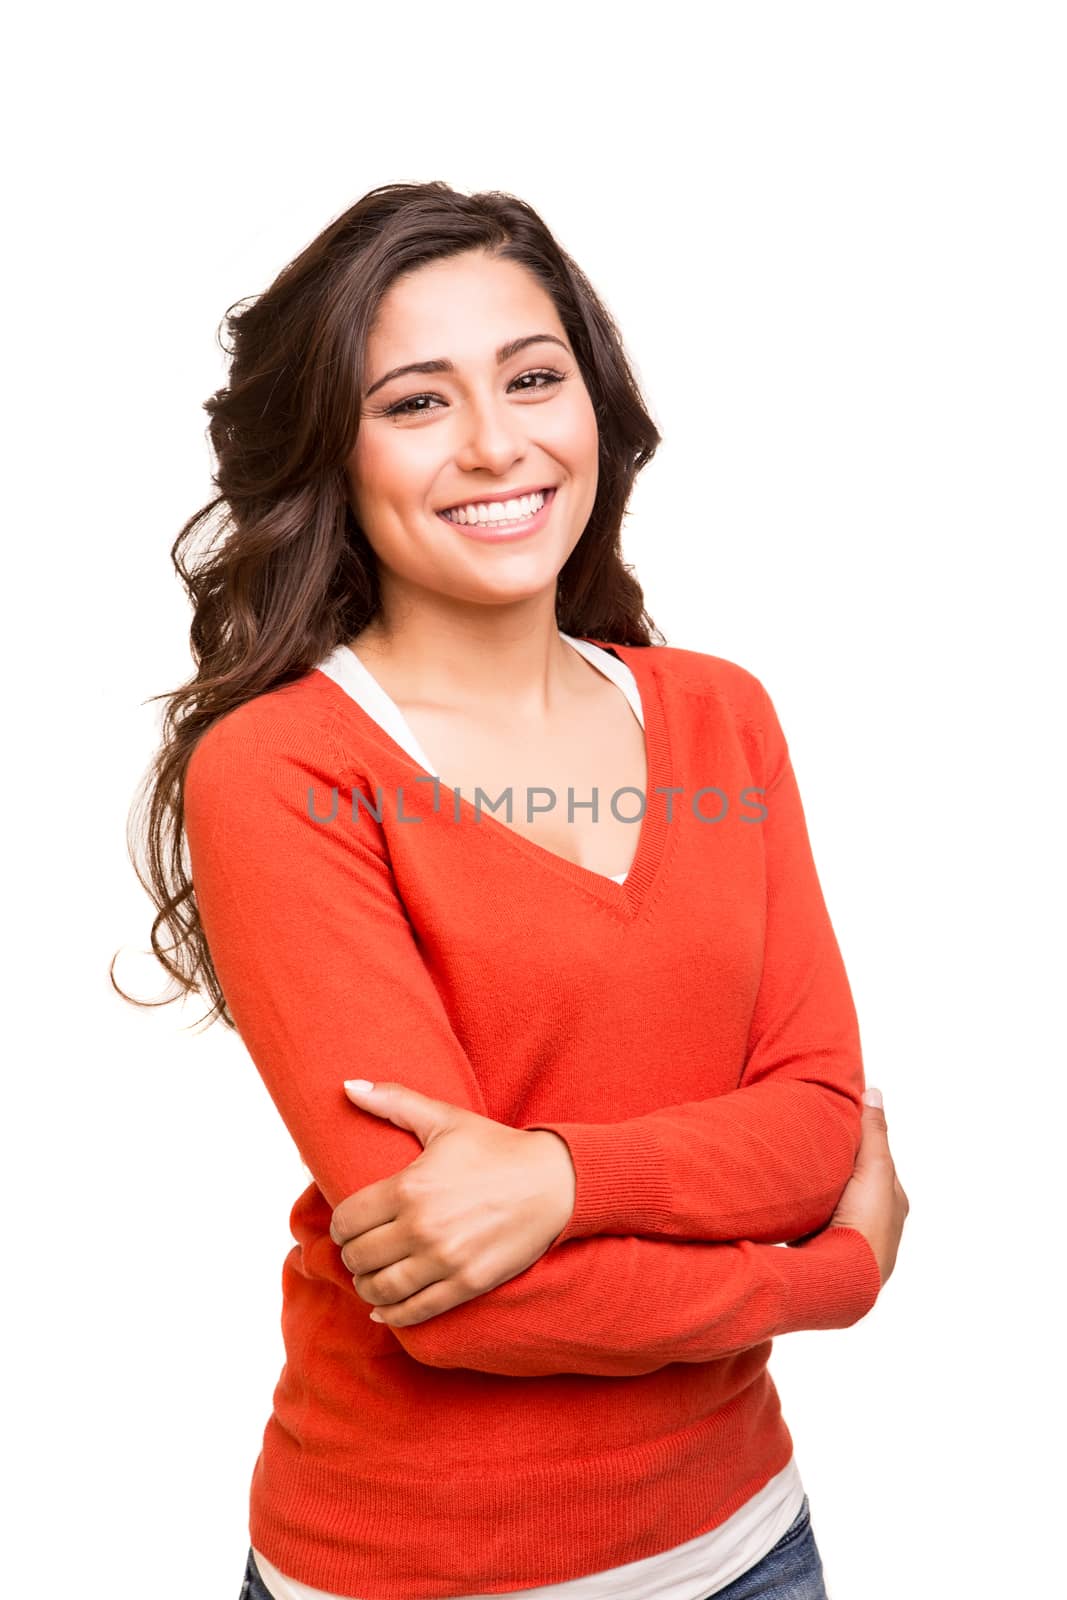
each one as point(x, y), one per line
point(324, 978)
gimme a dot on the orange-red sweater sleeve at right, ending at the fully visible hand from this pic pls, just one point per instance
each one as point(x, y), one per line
point(770, 1159)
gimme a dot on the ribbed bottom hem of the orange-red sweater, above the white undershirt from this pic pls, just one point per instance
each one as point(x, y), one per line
point(426, 1537)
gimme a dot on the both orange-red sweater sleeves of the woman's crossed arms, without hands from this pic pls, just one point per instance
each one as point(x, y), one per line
point(321, 970)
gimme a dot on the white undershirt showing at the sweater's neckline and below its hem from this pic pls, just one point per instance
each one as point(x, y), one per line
point(713, 1561)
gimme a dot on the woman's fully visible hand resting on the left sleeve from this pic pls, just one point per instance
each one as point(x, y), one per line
point(481, 1206)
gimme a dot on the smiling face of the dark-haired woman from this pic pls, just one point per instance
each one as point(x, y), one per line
point(471, 434)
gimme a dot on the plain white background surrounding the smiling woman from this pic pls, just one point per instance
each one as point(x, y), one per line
point(834, 242)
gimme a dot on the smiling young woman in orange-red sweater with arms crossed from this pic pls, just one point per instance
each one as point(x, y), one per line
point(462, 830)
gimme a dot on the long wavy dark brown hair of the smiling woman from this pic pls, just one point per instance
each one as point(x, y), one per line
point(287, 574)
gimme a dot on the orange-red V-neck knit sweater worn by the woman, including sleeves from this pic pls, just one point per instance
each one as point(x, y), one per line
point(689, 1033)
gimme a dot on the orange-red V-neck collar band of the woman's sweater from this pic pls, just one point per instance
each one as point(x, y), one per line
point(629, 897)
